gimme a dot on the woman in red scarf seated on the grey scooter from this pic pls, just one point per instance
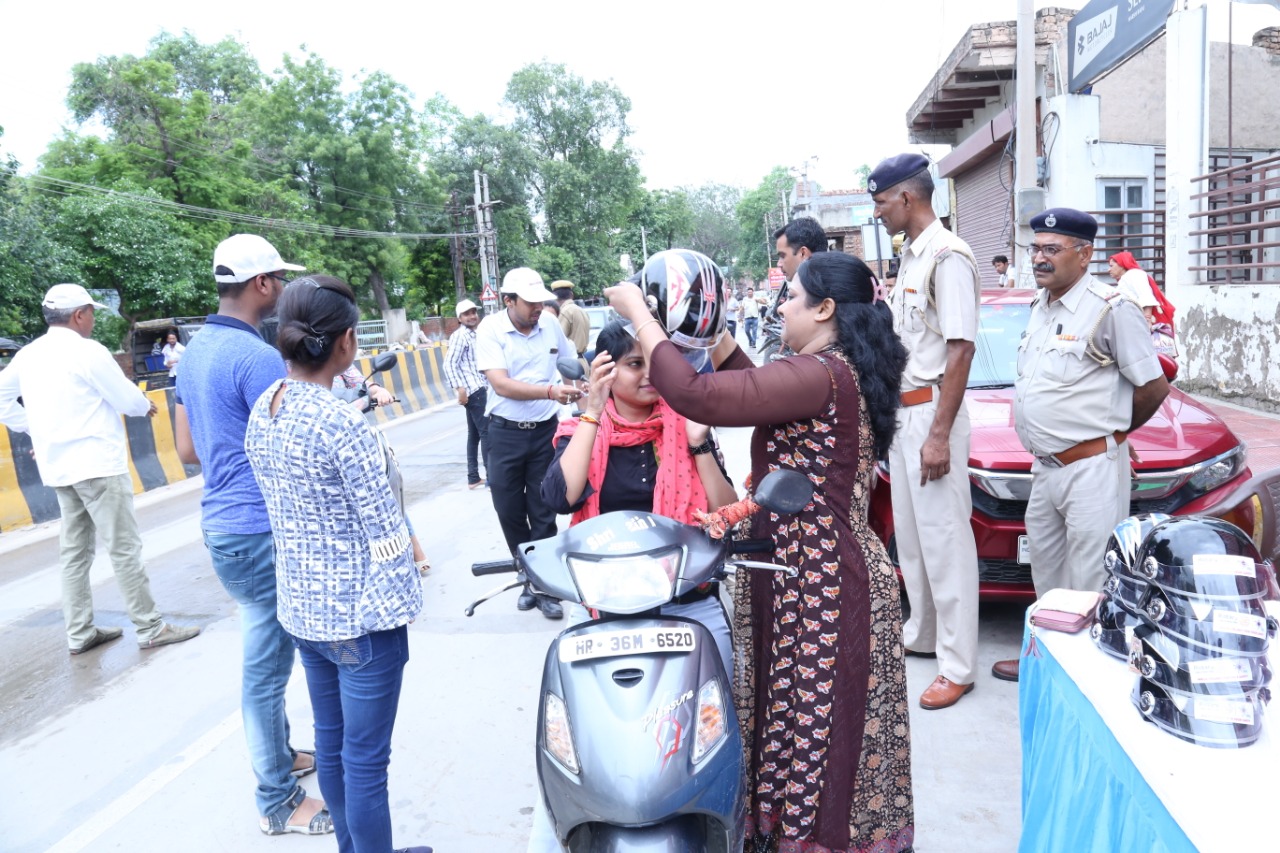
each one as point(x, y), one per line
point(632, 451)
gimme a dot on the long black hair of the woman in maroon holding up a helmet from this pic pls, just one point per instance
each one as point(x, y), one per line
point(866, 334)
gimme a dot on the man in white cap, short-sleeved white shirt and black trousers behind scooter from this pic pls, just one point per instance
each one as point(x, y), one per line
point(518, 350)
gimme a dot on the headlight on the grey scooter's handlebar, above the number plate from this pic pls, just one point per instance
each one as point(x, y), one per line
point(628, 585)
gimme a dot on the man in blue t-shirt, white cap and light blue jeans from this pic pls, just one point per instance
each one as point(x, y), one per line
point(225, 371)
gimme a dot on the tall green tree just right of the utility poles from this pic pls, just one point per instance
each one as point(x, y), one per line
point(583, 177)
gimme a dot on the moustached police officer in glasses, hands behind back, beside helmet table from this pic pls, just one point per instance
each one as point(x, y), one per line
point(1087, 377)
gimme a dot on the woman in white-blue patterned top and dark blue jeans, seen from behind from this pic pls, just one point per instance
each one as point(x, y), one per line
point(345, 564)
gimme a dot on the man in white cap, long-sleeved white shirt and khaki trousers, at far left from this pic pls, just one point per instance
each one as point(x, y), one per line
point(74, 396)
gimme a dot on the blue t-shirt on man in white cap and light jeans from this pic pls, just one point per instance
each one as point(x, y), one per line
point(225, 371)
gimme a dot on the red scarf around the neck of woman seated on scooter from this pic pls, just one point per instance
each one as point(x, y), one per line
point(679, 490)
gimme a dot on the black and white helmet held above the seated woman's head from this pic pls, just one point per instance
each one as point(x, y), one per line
point(685, 290)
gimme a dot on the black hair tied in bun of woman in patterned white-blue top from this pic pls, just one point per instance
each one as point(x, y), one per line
point(314, 313)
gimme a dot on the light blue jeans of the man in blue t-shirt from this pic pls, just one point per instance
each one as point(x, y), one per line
point(246, 567)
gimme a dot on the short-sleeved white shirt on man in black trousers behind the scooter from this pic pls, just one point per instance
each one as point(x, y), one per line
point(528, 358)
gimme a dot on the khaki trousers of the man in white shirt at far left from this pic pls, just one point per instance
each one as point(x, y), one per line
point(103, 505)
